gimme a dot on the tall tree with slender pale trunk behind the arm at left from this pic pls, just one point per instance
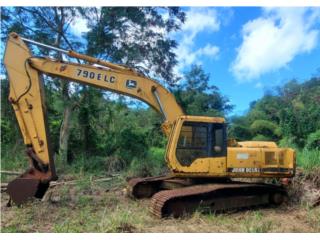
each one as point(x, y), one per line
point(48, 25)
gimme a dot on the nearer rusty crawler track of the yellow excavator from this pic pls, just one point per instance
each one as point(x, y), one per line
point(215, 196)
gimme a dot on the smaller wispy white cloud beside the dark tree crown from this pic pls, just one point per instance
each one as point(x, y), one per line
point(197, 20)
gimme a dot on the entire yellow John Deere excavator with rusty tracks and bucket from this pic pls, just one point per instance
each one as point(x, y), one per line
point(203, 163)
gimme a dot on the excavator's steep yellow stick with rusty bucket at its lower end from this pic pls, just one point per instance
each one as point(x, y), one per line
point(27, 99)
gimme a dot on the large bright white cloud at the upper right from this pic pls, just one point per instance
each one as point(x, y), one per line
point(272, 41)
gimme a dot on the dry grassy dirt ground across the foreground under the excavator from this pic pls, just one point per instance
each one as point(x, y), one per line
point(89, 206)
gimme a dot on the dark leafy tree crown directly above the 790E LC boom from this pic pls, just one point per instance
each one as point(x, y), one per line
point(137, 37)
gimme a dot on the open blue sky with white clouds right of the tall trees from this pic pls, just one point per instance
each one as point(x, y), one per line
point(248, 50)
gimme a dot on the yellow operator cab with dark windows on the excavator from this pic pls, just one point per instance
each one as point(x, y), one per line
point(198, 138)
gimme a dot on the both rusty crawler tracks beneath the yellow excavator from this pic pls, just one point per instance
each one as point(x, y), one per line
point(204, 195)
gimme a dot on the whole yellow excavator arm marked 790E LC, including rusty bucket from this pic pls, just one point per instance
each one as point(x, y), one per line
point(27, 98)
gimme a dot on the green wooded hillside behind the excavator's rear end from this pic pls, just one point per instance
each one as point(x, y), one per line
point(290, 115)
